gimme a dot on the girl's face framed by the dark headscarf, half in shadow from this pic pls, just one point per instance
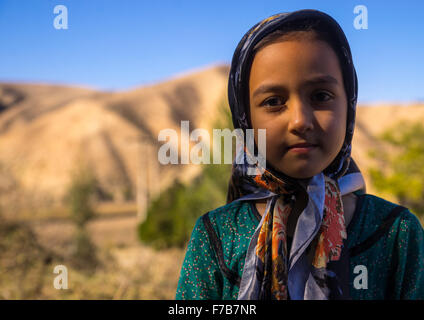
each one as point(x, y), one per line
point(297, 94)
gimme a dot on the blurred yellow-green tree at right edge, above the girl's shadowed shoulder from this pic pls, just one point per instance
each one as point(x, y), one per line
point(401, 172)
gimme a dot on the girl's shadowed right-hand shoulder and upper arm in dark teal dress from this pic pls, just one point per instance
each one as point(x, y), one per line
point(387, 241)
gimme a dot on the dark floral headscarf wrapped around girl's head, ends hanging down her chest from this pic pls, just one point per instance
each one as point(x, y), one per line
point(269, 273)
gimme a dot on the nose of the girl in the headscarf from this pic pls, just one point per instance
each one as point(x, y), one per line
point(300, 117)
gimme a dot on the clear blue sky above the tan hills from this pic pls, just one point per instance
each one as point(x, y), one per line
point(116, 45)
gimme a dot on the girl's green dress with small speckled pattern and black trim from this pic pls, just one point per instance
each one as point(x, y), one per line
point(388, 265)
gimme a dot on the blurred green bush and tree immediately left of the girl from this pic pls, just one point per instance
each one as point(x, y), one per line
point(171, 217)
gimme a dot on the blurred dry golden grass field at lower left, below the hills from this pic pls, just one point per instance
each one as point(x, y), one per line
point(127, 270)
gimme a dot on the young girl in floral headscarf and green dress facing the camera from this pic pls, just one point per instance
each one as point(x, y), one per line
point(303, 227)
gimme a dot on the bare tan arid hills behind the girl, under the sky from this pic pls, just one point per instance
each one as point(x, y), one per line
point(48, 131)
